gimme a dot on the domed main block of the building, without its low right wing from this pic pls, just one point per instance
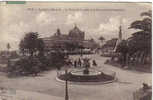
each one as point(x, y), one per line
point(75, 36)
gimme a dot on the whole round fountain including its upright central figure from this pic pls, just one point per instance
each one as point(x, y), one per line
point(87, 74)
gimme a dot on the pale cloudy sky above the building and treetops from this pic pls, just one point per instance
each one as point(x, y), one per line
point(95, 19)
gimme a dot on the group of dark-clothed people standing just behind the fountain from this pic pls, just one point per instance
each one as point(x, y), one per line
point(81, 62)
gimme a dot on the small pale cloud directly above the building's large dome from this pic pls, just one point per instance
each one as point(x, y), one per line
point(74, 18)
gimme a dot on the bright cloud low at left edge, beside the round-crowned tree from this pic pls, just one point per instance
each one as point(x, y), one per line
point(13, 35)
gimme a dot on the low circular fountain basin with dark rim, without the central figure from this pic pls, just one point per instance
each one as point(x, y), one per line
point(93, 76)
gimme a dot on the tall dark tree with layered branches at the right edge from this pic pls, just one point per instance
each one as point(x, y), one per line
point(140, 42)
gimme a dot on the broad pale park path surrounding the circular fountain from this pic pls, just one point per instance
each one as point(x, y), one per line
point(128, 82)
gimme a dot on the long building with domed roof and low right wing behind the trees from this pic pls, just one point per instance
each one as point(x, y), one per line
point(74, 39)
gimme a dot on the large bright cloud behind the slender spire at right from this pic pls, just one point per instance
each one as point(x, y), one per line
point(110, 28)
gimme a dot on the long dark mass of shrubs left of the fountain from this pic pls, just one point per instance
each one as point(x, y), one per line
point(34, 65)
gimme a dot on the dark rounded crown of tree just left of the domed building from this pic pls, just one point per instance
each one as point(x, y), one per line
point(31, 44)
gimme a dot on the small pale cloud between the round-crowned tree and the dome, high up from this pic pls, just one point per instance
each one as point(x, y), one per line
point(44, 18)
